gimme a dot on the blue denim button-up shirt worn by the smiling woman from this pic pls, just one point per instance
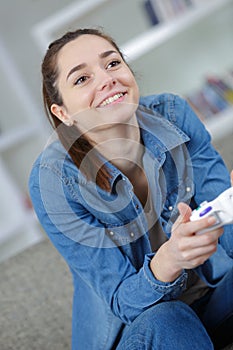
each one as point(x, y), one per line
point(103, 236)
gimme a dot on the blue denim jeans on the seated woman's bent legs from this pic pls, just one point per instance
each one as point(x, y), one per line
point(206, 325)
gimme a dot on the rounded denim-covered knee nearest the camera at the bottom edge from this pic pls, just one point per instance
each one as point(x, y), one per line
point(166, 326)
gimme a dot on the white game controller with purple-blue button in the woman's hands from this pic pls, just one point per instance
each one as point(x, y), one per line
point(221, 208)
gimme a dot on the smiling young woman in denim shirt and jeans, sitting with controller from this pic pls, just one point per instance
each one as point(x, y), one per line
point(114, 194)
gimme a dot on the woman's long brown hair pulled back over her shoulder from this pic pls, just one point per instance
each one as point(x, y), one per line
point(78, 146)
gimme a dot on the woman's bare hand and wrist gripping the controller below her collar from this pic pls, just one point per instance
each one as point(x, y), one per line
point(185, 249)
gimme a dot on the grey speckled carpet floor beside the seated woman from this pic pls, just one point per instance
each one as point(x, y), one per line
point(36, 301)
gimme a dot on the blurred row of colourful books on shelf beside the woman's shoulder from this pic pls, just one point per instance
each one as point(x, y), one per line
point(215, 96)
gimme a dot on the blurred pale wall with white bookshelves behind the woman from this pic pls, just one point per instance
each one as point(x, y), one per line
point(185, 47)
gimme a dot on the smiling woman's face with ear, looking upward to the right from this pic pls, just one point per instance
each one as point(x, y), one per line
point(97, 87)
